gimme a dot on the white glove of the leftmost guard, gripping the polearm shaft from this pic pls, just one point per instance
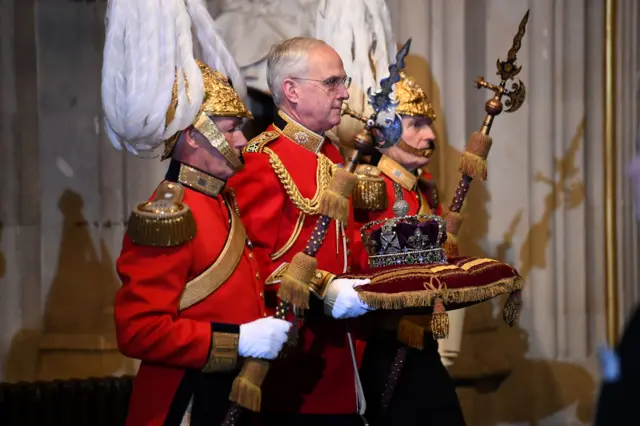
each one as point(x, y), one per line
point(263, 338)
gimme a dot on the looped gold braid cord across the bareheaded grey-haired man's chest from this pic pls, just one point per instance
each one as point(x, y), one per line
point(324, 171)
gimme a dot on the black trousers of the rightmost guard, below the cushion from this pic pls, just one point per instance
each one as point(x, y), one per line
point(424, 395)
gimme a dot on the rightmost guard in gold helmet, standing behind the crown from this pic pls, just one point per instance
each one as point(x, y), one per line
point(401, 186)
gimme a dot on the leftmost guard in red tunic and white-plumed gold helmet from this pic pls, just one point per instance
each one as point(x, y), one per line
point(191, 305)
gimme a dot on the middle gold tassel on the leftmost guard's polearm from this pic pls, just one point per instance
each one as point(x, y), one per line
point(294, 284)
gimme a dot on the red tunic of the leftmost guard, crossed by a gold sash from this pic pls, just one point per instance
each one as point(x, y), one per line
point(175, 345)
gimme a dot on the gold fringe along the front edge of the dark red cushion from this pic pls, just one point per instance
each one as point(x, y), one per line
point(427, 297)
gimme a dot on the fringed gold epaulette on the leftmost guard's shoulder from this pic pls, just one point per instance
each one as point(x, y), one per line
point(164, 221)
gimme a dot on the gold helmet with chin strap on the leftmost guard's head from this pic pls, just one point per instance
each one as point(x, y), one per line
point(220, 100)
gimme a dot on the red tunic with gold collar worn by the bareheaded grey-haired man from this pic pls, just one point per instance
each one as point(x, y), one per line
point(317, 377)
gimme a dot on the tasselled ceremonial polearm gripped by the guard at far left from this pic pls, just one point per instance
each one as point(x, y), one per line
point(382, 130)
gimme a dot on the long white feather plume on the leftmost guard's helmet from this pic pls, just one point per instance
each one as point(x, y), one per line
point(148, 43)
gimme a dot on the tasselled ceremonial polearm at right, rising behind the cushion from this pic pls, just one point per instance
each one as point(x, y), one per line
point(472, 166)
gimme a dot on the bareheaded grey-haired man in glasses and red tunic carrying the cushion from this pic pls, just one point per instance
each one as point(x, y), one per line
point(287, 171)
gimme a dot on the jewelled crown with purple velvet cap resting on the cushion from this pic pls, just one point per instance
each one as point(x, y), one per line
point(406, 240)
